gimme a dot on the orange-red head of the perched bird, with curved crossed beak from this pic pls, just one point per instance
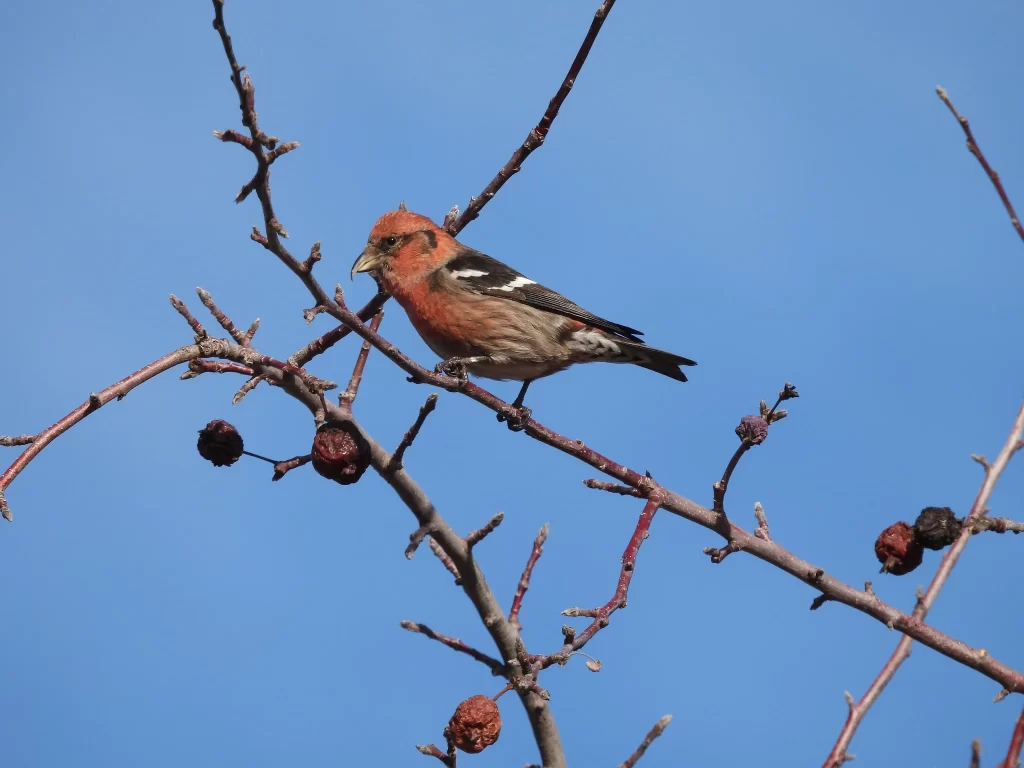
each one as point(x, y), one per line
point(403, 247)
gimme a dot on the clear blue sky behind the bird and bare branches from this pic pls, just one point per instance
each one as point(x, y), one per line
point(773, 190)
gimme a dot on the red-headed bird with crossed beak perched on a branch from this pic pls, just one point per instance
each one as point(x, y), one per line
point(484, 318)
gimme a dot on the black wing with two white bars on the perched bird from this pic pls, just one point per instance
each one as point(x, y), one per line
point(485, 275)
